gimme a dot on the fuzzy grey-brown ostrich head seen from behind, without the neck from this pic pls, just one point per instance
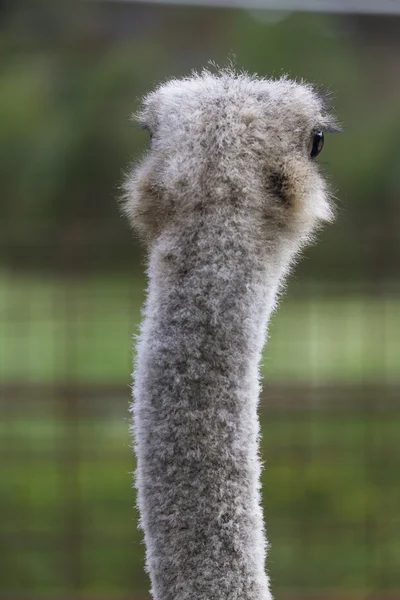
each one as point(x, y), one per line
point(233, 144)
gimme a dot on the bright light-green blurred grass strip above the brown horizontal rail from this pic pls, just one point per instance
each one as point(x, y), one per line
point(60, 330)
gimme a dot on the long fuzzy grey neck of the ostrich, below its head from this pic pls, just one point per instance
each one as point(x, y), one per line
point(195, 412)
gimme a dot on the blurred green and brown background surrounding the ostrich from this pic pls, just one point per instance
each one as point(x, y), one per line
point(72, 282)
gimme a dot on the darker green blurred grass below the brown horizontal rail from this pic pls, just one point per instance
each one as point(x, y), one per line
point(330, 492)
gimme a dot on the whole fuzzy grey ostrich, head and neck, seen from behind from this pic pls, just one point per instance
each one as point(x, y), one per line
point(225, 197)
